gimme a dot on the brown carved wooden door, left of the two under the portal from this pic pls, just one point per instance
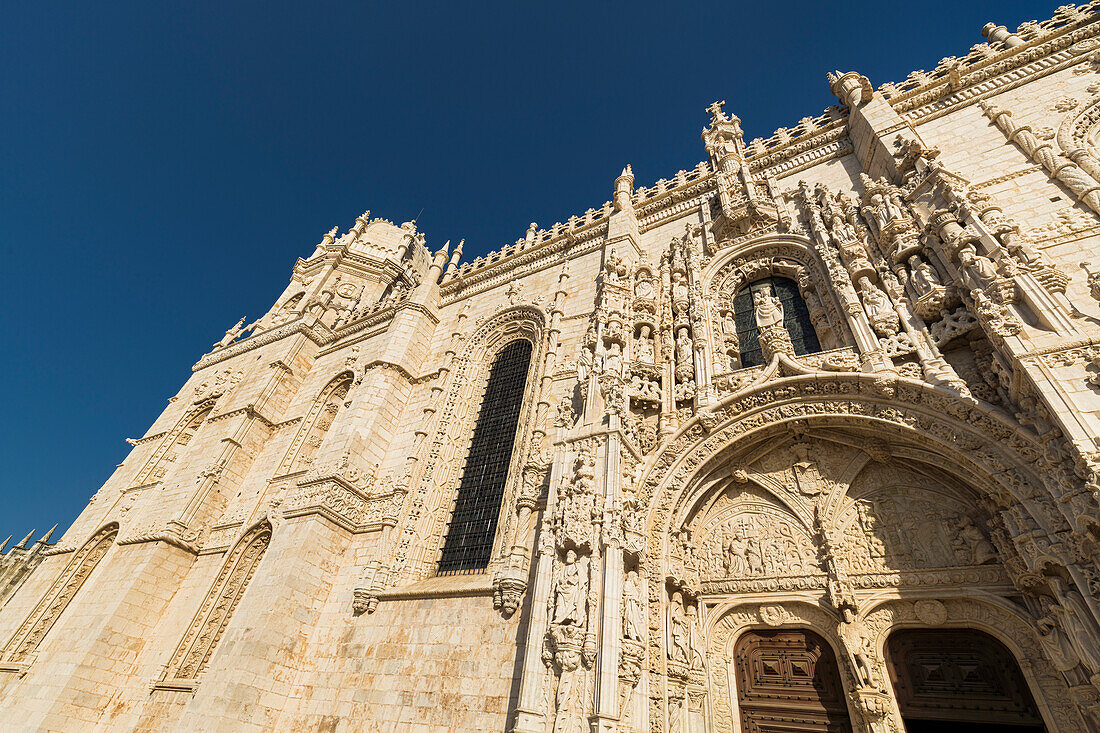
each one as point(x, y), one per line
point(787, 682)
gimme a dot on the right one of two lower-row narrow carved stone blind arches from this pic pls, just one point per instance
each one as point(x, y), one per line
point(206, 630)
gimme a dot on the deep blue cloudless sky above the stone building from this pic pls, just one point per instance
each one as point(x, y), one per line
point(164, 165)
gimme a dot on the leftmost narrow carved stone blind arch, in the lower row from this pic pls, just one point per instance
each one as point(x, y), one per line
point(60, 596)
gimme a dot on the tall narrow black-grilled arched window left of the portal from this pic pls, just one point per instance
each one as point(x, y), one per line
point(474, 523)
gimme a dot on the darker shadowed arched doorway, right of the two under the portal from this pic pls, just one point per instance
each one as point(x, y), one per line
point(959, 680)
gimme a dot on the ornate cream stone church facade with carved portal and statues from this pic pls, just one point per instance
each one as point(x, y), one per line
point(830, 390)
